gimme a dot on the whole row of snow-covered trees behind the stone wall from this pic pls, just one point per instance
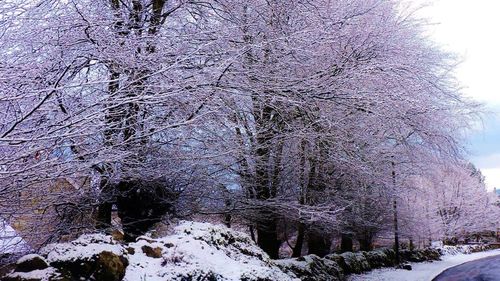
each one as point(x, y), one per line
point(313, 125)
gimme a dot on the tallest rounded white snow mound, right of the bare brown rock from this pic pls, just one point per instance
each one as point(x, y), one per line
point(201, 251)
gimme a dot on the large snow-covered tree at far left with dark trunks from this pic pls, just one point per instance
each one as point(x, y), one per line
point(103, 95)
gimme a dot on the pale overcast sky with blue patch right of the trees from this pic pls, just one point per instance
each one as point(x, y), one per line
point(471, 28)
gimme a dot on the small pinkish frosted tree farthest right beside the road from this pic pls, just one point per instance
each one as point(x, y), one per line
point(450, 201)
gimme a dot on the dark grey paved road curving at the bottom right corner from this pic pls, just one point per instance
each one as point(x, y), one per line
point(487, 269)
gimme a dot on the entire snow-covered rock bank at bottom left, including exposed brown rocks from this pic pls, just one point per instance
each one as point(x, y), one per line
point(193, 251)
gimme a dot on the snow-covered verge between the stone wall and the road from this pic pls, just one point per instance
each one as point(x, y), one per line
point(421, 271)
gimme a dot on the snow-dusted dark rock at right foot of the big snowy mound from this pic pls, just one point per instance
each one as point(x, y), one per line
point(312, 268)
